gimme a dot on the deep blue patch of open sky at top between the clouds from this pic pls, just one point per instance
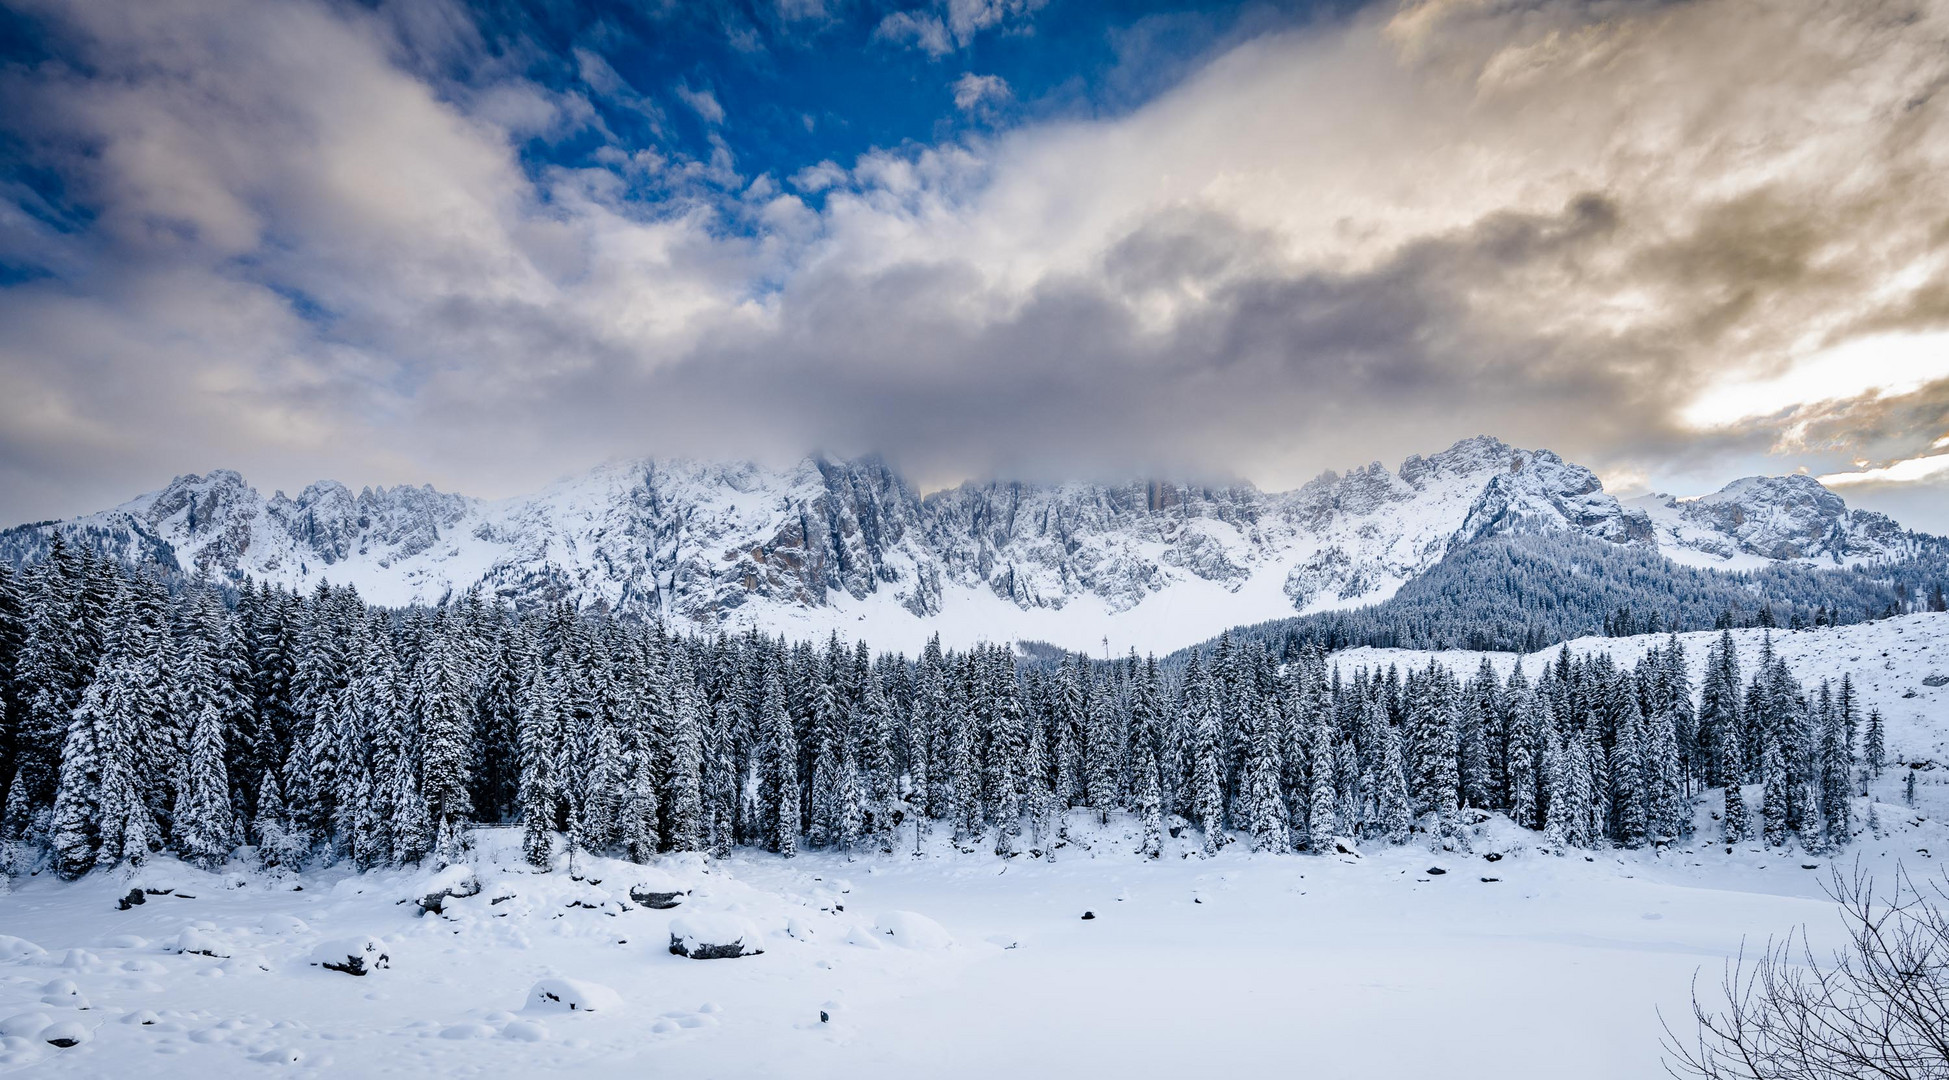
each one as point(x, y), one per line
point(788, 87)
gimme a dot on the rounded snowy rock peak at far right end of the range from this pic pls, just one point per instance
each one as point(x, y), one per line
point(1775, 518)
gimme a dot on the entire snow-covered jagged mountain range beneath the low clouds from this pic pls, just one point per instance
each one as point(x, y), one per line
point(853, 547)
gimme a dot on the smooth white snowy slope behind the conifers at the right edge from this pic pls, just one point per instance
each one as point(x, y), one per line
point(1899, 666)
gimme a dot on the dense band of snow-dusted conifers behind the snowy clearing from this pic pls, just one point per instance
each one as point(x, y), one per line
point(319, 730)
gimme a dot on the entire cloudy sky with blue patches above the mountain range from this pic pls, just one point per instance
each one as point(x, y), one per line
point(490, 245)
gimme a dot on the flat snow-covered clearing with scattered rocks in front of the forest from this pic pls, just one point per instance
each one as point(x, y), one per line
point(944, 966)
